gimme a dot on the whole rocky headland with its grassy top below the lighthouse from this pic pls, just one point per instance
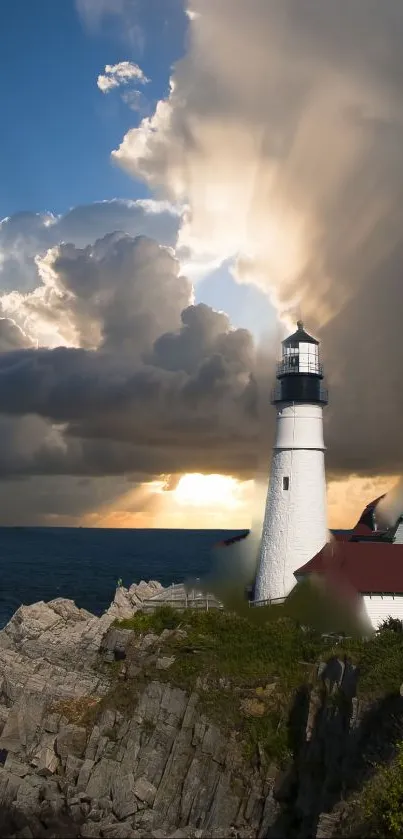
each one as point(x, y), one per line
point(172, 725)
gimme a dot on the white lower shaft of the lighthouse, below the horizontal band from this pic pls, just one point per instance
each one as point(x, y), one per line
point(295, 521)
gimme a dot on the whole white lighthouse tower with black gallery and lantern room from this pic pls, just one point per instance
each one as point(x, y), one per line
point(295, 521)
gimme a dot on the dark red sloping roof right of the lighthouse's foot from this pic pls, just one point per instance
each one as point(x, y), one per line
point(375, 567)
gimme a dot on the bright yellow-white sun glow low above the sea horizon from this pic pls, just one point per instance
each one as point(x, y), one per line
point(197, 490)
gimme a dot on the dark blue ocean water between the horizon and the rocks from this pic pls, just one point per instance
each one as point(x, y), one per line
point(84, 565)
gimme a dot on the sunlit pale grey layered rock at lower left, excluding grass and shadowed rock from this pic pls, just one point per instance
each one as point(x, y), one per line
point(162, 770)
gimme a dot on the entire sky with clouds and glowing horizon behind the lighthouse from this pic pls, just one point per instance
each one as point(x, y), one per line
point(179, 179)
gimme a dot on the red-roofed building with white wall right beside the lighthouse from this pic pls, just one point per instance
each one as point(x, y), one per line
point(368, 562)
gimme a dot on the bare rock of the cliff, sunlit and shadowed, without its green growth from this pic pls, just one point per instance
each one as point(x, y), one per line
point(97, 739)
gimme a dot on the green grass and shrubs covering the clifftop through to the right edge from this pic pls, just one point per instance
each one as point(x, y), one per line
point(247, 673)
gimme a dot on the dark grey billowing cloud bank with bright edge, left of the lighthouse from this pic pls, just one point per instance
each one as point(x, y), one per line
point(139, 381)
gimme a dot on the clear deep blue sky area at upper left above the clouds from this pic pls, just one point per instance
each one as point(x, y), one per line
point(58, 129)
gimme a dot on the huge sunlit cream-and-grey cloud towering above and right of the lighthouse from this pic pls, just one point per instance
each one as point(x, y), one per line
point(290, 162)
